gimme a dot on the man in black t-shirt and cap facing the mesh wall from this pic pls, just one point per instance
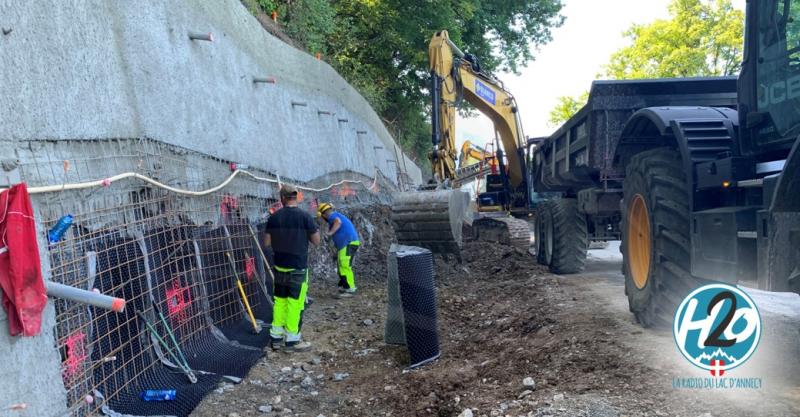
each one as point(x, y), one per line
point(288, 232)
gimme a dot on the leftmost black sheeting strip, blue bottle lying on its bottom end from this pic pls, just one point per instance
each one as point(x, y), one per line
point(137, 368)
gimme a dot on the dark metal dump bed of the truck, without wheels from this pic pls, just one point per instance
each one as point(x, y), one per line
point(579, 154)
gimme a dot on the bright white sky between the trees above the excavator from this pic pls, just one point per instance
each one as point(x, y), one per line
point(568, 64)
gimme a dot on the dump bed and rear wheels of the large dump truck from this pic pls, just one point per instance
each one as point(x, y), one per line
point(576, 162)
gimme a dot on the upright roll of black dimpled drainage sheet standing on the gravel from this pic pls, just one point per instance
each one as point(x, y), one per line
point(411, 318)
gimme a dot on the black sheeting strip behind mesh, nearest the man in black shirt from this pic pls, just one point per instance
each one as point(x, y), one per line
point(225, 305)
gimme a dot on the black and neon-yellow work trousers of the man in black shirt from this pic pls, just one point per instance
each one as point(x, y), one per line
point(291, 286)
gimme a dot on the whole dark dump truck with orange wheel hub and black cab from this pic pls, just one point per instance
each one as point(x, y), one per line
point(700, 178)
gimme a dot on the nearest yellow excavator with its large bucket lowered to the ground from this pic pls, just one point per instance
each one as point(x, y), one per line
point(433, 217)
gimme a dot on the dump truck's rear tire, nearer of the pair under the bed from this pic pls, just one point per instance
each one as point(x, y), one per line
point(570, 237)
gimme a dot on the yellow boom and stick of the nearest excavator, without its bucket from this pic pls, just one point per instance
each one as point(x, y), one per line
point(456, 76)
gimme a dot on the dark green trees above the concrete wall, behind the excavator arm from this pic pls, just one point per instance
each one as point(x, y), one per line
point(381, 46)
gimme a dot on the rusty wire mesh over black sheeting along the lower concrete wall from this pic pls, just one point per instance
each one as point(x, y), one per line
point(176, 259)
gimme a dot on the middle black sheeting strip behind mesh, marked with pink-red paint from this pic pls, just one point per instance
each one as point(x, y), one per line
point(177, 292)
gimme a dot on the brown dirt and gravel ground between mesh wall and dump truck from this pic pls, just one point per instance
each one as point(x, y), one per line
point(515, 341)
